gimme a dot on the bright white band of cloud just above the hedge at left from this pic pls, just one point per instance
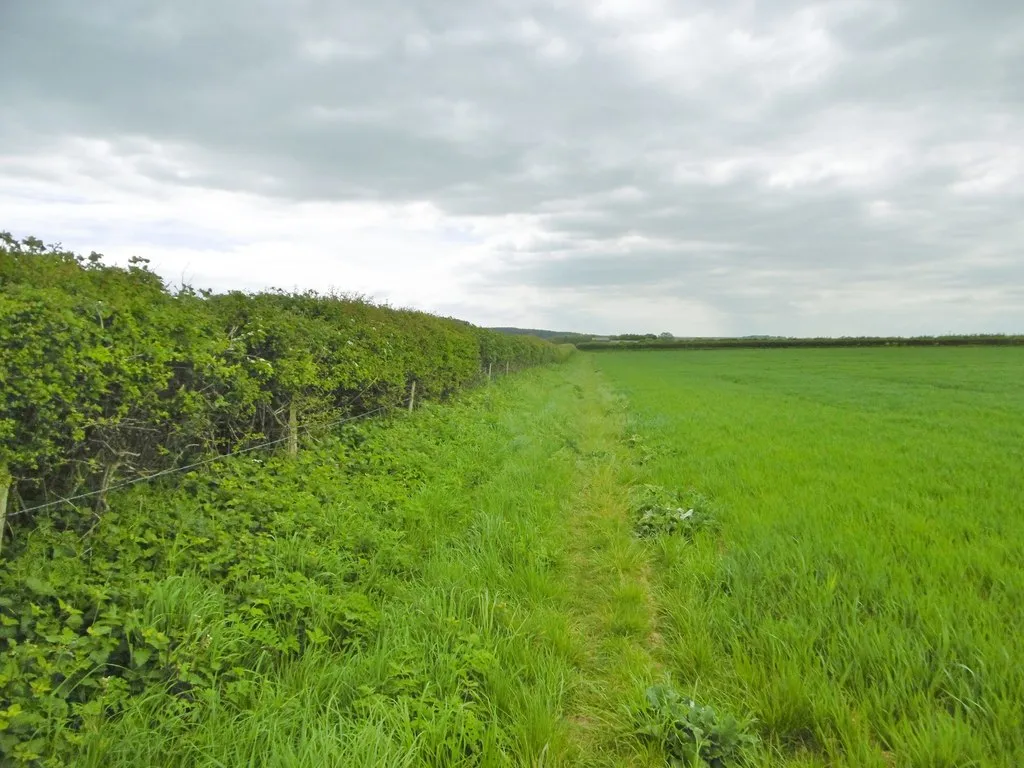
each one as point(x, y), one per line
point(403, 253)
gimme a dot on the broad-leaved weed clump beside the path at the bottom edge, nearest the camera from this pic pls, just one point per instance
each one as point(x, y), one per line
point(692, 735)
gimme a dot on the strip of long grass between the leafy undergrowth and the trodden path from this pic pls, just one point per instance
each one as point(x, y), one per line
point(467, 664)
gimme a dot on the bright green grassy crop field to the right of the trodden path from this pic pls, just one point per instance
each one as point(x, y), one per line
point(864, 600)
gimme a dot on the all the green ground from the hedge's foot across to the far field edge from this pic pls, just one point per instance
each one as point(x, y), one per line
point(464, 586)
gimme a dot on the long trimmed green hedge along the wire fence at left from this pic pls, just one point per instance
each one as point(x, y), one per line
point(108, 375)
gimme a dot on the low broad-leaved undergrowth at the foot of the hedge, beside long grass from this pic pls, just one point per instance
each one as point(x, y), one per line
point(200, 594)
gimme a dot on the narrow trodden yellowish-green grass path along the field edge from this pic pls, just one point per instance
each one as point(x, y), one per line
point(610, 592)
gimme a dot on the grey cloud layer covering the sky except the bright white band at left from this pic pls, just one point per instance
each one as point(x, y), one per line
point(863, 140)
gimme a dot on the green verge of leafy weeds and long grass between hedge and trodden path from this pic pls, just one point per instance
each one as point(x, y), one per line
point(400, 593)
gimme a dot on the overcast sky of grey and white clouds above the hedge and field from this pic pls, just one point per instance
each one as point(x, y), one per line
point(719, 168)
